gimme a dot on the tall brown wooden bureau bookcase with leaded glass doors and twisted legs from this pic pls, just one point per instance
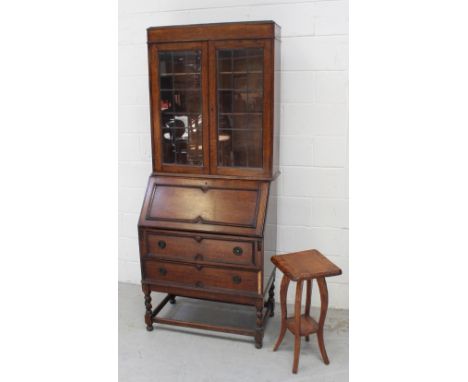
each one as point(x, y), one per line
point(207, 228)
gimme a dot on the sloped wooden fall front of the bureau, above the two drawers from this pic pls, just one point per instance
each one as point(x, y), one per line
point(219, 206)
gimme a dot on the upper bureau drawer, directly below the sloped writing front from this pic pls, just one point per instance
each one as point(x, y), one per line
point(198, 248)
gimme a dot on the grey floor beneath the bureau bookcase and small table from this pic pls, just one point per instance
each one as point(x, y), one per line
point(170, 353)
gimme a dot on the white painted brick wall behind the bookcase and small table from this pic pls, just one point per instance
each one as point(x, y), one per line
point(313, 187)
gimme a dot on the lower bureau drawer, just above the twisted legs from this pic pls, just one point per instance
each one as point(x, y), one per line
point(202, 277)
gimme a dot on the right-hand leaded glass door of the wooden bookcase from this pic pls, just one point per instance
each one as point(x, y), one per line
point(241, 91)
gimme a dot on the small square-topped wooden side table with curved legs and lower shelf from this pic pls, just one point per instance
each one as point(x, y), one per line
point(300, 266)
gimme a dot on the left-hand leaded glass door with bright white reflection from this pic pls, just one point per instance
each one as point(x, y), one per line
point(179, 104)
